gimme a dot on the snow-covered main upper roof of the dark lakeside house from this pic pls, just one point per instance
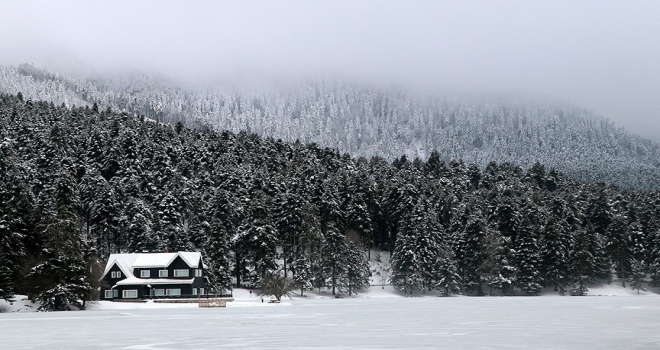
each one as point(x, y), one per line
point(127, 262)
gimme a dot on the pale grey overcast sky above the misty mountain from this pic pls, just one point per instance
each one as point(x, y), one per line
point(604, 55)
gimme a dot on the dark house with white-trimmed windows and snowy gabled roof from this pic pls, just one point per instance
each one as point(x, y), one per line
point(153, 275)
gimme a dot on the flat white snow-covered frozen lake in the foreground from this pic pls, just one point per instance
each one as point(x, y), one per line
point(395, 323)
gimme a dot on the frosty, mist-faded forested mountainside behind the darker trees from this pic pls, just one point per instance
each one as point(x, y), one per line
point(367, 121)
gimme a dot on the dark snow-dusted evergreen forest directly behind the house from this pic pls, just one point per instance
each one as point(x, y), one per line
point(77, 184)
